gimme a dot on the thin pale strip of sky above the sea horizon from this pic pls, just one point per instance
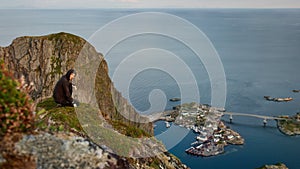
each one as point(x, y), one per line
point(70, 4)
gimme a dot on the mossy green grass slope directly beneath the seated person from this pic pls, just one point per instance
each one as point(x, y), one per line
point(86, 121)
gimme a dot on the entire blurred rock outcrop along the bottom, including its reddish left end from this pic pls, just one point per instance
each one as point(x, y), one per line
point(63, 150)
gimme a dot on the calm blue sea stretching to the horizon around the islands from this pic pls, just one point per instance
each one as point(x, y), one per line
point(255, 51)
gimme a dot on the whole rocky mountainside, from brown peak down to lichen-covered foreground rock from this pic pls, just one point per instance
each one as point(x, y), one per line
point(43, 60)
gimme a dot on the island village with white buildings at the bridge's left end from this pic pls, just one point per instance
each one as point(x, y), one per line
point(204, 120)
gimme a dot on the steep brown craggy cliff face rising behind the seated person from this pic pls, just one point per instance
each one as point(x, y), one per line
point(44, 59)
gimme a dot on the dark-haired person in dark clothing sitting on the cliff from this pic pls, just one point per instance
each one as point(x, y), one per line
point(62, 93)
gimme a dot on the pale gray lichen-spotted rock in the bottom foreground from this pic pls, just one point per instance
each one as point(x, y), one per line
point(63, 151)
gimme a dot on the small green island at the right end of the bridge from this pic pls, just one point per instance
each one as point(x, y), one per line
point(290, 126)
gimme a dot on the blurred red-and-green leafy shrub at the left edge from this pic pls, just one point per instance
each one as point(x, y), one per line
point(16, 109)
